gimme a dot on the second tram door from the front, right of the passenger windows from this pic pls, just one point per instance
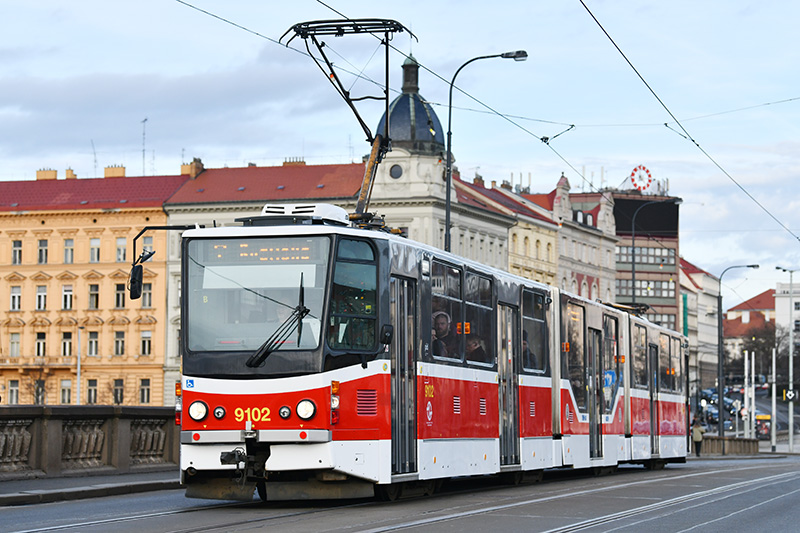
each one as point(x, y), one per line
point(507, 369)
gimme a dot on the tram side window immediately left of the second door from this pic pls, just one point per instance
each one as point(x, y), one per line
point(479, 347)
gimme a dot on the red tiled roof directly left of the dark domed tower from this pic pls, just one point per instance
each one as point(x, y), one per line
point(290, 182)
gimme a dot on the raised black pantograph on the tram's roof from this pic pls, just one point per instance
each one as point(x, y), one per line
point(338, 28)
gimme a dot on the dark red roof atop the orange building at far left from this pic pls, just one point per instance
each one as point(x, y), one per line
point(94, 193)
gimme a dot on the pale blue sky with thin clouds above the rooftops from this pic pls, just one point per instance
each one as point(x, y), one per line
point(704, 94)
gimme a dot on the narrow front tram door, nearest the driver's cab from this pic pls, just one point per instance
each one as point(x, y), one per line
point(404, 396)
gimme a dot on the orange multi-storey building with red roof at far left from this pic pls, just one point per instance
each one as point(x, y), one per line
point(70, 334)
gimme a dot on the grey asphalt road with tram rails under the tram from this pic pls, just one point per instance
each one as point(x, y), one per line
point(753, 494)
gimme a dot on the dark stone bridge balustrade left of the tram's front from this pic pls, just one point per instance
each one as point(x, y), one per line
point(38, 441)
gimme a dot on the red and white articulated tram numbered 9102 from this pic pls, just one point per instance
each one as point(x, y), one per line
point(321, 360)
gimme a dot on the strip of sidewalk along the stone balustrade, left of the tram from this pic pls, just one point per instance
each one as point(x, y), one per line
point(45, 490)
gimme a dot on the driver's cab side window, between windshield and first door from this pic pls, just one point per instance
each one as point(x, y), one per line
point(353, 309)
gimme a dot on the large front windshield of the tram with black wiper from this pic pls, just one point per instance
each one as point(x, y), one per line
point(240, 291)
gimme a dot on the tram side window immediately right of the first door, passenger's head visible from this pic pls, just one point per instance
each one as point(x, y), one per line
point(446, 315)
